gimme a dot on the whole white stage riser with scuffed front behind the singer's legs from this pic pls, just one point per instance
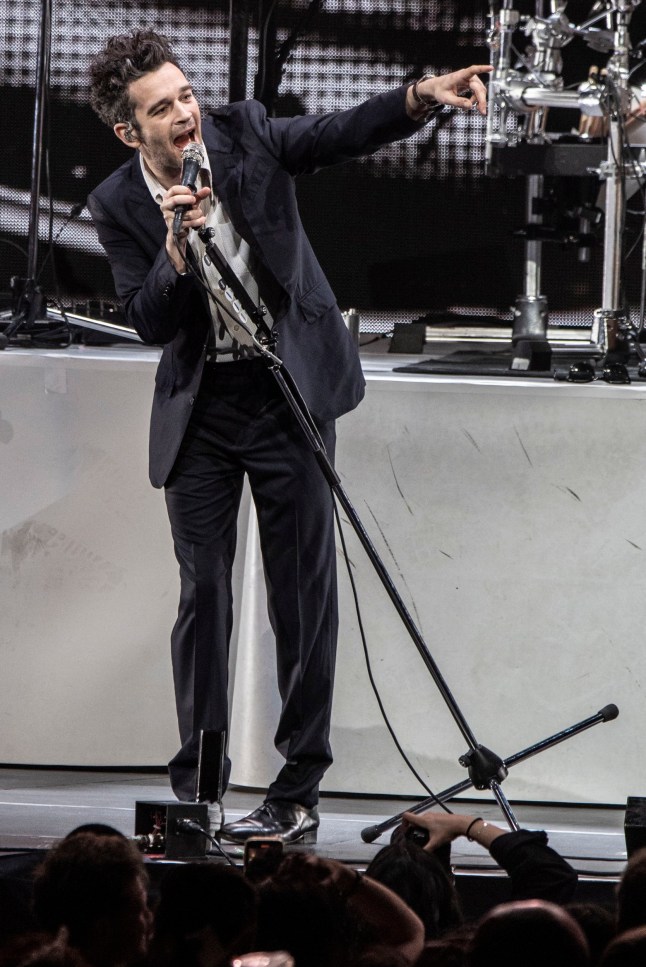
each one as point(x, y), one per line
point(509, 514)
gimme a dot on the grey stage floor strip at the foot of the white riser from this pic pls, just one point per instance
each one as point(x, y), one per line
point(39, 806)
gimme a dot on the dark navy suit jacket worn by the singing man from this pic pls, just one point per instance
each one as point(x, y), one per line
point(254, 160)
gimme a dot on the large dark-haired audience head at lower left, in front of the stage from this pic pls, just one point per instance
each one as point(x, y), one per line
point(96, 887)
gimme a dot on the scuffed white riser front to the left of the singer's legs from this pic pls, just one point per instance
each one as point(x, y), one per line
point(88, 578)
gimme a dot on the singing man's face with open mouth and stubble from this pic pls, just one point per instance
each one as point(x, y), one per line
point(168, 118)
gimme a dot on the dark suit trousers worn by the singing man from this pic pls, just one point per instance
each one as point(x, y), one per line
point(242, 425)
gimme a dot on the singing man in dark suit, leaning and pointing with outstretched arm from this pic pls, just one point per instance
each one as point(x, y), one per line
point(218, 413)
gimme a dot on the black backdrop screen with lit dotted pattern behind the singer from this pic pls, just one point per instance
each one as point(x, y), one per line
point(416, 228)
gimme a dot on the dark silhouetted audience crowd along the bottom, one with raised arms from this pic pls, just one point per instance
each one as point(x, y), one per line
point(93, 904)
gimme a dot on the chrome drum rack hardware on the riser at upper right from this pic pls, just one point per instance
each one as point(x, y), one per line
point(523, 92)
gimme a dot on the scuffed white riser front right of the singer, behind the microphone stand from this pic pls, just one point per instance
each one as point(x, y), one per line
point(509, 515)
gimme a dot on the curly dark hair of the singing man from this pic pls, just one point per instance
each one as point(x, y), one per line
point(124, 59)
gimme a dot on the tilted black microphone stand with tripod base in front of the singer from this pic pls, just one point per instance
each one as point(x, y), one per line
point(486, 769)
